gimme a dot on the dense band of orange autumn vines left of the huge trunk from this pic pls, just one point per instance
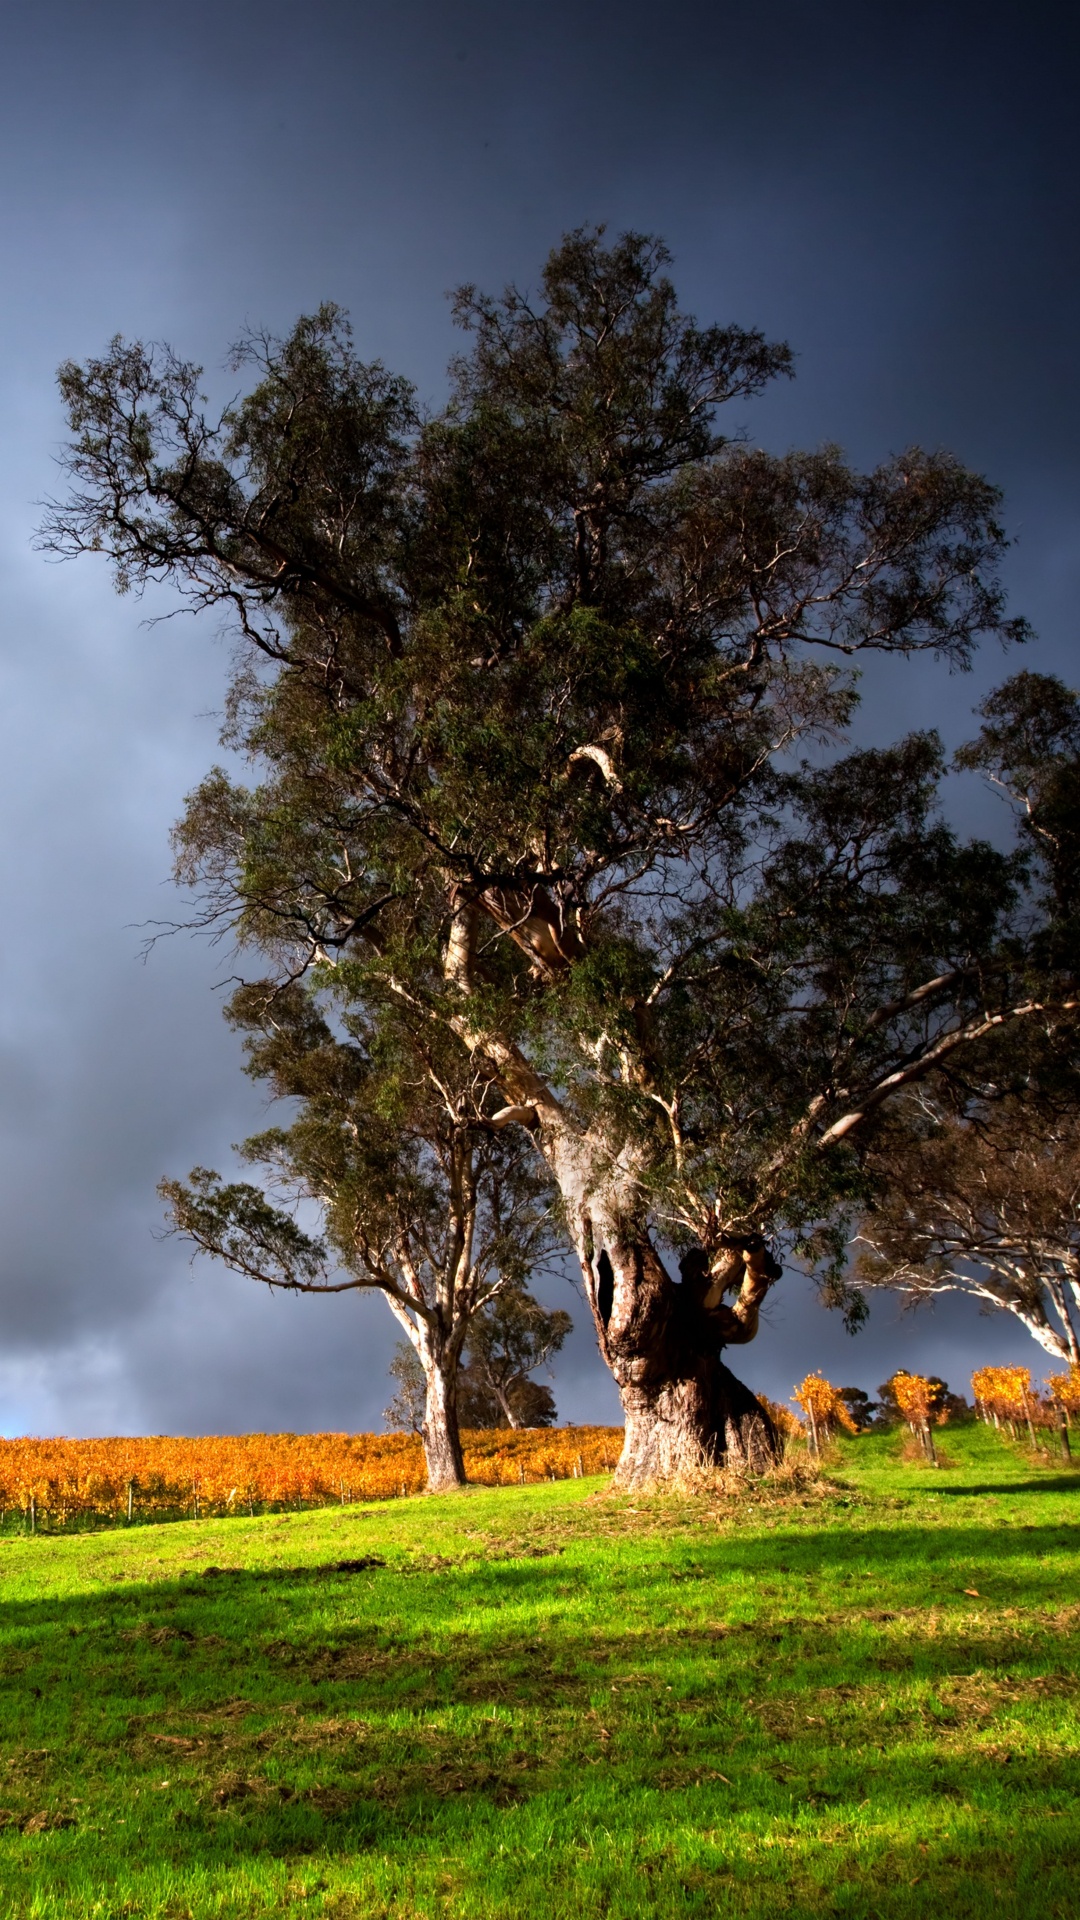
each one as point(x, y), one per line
point(245, 1474)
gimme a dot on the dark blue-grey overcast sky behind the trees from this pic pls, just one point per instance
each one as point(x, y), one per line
point(891, 189)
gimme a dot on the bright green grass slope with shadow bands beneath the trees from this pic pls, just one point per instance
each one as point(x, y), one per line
point(551, 1704)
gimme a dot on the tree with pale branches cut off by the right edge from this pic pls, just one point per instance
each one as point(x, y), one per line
point(979, 1182)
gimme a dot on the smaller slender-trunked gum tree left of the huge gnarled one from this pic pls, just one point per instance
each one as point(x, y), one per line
point(418, 1193)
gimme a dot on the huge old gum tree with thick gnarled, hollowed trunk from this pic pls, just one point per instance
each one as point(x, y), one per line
point(526, 684)
